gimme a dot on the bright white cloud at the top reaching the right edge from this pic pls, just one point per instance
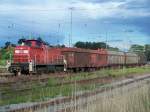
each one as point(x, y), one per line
point(110, 9)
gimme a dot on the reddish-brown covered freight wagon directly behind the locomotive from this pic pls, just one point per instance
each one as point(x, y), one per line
point(84, 58)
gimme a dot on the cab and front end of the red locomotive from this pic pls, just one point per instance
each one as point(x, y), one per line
point(24, 56)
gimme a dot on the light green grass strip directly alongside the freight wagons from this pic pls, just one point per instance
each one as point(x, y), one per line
point(108, 73)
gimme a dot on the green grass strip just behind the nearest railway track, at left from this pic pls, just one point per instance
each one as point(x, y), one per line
point(41, 94)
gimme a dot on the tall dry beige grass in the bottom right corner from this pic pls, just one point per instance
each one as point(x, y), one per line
point(120, 100)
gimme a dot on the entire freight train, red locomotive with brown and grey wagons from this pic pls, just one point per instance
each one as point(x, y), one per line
point(34, 56)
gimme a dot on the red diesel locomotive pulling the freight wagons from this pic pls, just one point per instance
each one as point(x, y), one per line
point(33, 56)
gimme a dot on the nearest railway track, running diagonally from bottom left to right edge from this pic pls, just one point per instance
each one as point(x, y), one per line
point(37, 107)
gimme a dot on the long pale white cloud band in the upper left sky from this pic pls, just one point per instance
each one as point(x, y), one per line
point(38, 12)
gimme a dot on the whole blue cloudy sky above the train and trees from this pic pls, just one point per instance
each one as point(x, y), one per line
point(119, 22)
